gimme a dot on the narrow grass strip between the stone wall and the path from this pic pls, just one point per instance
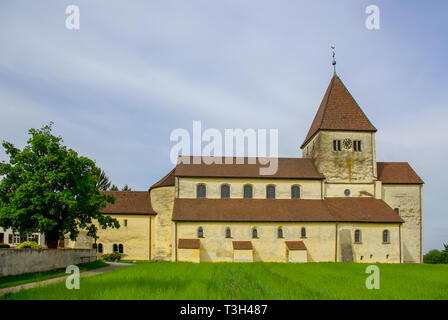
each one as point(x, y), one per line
point(11, 281)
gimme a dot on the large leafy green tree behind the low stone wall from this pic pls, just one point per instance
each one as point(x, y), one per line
point(48, 188)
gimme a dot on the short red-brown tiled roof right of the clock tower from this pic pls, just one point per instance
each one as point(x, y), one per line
point(397, 172)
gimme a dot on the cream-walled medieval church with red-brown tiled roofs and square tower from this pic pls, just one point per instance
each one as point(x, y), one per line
point(334, 204)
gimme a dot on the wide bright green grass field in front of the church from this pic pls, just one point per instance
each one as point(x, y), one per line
point(165, 280)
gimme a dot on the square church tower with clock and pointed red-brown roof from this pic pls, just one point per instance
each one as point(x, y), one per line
point(341, 139)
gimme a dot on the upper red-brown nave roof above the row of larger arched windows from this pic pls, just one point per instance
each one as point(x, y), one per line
point(288, 168)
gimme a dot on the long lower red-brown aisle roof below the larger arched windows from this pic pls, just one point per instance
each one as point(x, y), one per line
point(285, 210)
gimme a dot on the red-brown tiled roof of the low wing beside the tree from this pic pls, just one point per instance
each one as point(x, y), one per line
point(129, 202)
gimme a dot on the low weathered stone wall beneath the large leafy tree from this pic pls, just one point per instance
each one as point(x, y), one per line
point(18, 261)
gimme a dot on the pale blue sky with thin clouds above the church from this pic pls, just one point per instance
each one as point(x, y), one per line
point(137, 70)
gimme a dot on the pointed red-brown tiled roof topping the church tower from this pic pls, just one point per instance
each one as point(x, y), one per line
point(338, 111)
